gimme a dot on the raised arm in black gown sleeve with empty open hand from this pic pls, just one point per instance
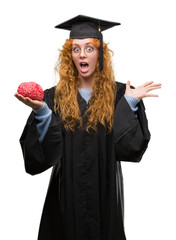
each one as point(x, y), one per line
point(131, 134)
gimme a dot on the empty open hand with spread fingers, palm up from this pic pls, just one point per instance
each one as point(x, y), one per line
point(143, 90)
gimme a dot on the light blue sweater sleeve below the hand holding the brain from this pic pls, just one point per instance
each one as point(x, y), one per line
point(43, 117)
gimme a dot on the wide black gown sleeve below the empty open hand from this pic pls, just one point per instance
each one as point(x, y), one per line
point(131, 134)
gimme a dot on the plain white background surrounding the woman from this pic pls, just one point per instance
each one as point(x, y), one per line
point(144, 50)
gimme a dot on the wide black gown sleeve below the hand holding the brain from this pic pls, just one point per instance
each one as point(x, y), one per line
point(38, 157)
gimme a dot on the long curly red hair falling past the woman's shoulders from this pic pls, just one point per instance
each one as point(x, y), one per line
point(101, 102)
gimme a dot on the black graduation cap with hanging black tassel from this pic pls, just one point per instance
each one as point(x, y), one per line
point(87, 27)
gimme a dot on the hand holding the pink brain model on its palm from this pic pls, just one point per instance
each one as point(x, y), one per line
point(34, 104)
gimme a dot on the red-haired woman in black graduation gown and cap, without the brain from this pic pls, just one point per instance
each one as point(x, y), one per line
point(84, 128)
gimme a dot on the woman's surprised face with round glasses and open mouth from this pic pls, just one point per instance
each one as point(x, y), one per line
point(85, 56)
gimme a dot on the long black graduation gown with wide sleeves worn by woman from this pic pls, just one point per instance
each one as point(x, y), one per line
point(85, 194)
